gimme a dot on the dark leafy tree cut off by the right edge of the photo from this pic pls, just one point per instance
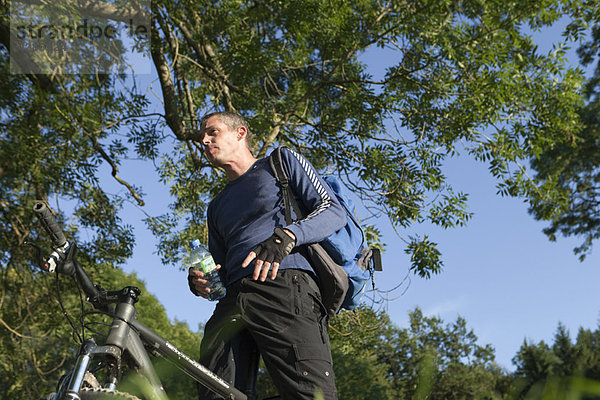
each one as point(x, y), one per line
point(573, 167)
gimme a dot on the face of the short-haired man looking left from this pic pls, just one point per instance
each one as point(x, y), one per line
point(220, 141)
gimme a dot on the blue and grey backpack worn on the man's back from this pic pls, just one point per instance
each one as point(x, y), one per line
point(347, 265)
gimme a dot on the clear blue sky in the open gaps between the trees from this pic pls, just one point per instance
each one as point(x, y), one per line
point(500, 272)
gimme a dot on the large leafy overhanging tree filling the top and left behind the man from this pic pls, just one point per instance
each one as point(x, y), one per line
point(462, 76)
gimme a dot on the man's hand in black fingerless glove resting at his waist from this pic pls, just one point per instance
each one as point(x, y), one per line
point(270, 253)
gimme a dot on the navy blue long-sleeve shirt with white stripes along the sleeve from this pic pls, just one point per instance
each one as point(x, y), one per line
point(245, 213)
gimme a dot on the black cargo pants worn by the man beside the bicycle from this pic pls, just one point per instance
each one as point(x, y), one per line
point(285, 320)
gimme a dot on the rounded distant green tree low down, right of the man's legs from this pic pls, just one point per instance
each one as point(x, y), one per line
point(444, 362)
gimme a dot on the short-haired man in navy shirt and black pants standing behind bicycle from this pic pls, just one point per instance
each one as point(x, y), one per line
point(273, 302)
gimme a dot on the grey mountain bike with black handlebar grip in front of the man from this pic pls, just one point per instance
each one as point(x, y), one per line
point(98, 367)
